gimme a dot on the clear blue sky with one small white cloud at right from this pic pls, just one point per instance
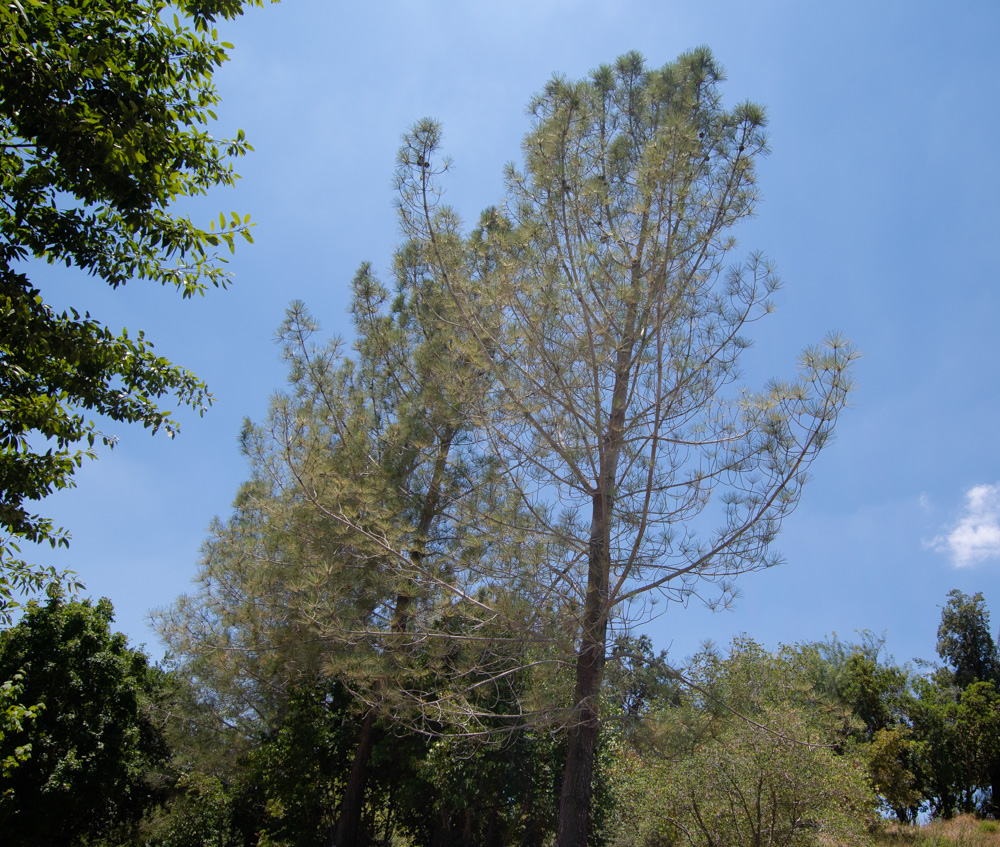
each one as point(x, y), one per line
point(880, 210)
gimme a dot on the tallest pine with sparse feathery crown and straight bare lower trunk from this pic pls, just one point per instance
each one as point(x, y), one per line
point(612, 325)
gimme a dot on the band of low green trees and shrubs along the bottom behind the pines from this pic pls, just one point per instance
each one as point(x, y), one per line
point(800, 746)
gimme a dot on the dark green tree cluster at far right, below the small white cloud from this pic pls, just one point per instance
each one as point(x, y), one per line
point(931, 740)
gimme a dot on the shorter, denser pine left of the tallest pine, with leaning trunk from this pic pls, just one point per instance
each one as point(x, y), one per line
point(341, 553)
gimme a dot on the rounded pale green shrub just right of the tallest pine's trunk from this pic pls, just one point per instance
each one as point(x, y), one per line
point(753, 754)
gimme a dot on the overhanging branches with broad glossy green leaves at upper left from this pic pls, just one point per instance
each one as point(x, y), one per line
point(103, 113)
